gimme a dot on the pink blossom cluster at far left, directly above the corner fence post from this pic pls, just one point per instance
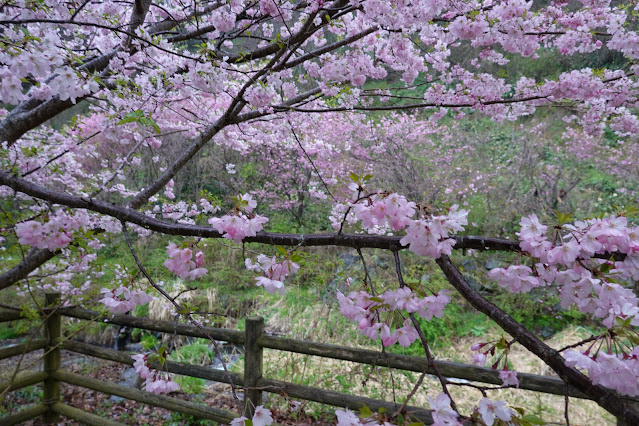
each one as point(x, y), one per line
point(53, 234)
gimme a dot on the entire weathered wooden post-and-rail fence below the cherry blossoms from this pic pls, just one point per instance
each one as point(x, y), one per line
point(252, 381)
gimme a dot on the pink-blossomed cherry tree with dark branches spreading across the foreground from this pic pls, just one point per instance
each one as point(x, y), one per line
point(150, 84)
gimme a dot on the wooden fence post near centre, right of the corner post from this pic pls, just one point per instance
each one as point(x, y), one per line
point(252, 365)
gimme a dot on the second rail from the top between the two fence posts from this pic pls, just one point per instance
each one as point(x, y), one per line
point(170, 366)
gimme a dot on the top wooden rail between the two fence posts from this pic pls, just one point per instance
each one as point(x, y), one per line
point(232, 336)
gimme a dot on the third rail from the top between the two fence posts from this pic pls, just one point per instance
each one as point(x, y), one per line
point(172, 404)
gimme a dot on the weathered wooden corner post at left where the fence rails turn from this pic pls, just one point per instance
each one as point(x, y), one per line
point(53, 326)
